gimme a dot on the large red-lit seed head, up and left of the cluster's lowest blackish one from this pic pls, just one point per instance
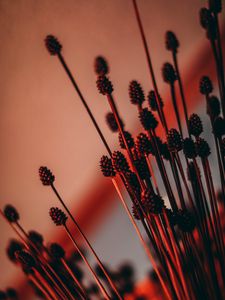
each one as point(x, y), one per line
point(152, 203)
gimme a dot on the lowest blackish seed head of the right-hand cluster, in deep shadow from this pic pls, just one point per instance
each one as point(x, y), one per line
point(185, 221)
